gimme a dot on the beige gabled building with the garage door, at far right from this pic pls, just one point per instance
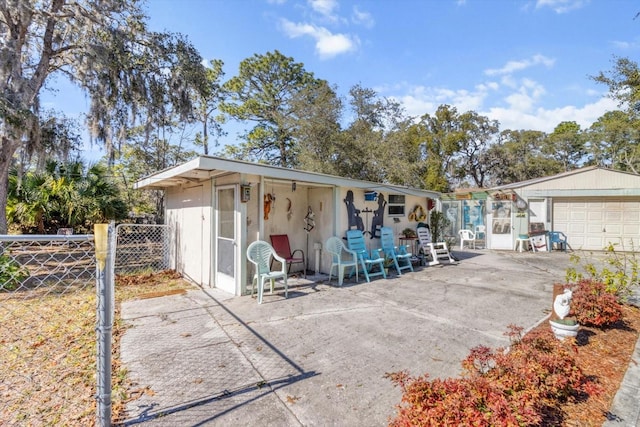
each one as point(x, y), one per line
point(592, 206)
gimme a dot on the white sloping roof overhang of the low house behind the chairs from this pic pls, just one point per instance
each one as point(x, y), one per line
point(207, 167)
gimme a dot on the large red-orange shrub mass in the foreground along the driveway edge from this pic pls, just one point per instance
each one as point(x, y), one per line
point(499, 388)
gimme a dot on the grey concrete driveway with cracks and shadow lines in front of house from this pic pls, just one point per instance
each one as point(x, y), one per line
point(320, 357)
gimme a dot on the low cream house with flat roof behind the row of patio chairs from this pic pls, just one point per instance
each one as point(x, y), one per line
point(217, 207)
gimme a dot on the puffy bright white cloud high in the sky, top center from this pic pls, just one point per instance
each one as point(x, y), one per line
point(328, 44)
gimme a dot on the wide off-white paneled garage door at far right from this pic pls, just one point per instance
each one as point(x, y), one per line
point(592, 223)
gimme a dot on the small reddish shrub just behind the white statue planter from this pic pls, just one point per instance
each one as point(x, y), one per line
point(592, 305)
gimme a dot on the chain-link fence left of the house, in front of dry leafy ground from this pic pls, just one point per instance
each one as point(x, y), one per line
point(48, 320)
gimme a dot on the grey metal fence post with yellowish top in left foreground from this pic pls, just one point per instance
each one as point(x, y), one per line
point(105, 251)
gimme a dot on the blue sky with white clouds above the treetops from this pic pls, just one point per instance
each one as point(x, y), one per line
point(525, 63)
